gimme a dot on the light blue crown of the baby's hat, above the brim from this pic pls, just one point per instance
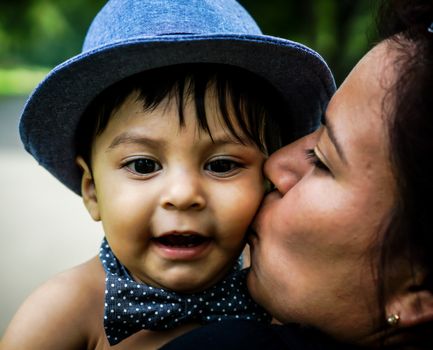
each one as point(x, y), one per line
point(121, 20)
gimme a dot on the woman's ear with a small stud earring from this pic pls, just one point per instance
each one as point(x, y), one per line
point(413, 305)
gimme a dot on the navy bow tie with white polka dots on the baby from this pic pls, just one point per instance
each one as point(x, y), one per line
point(131, 306)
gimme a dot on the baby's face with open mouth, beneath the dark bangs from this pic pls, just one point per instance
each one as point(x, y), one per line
point(174, 203)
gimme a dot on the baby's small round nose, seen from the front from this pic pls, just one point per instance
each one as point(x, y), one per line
point(183, 192)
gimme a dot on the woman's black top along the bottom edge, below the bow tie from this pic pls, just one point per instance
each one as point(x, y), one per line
point(250, 335)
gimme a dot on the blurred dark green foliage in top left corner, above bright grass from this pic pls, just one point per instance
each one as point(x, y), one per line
point(43, 32)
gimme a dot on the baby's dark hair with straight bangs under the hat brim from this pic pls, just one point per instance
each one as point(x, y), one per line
point(257, 105)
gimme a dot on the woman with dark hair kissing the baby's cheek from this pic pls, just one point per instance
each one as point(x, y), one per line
point(344, 243)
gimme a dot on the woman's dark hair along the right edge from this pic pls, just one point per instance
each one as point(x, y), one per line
point(410, 234)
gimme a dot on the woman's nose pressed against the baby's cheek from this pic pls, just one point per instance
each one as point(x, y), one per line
point(289, 164)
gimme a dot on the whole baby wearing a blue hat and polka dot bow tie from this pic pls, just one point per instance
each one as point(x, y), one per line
point(162, 124)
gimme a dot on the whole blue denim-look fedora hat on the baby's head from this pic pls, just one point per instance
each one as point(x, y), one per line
point(130, 36)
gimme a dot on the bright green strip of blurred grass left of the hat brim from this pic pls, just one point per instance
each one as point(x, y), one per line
point(20, 80)
